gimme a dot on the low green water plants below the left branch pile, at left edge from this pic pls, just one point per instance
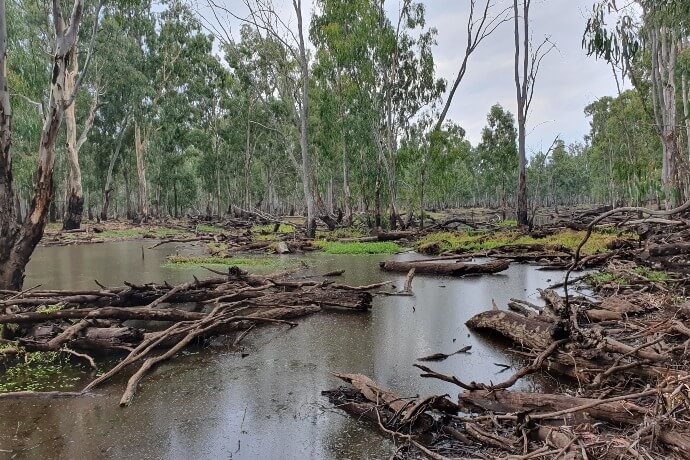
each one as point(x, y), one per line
point(39, 371)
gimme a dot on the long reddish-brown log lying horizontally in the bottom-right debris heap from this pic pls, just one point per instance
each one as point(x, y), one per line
point(503, 401)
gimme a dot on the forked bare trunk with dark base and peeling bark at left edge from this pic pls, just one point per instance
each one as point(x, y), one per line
point(18, 241)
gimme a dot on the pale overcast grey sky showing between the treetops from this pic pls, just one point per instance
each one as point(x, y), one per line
point(568, 79)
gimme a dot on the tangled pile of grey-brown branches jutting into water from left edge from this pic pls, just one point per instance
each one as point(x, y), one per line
point(81, 322)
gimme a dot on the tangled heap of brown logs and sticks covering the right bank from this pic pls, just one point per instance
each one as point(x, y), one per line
point(622, 356)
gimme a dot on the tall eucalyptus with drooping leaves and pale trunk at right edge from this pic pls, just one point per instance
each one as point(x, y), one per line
point(646, 46)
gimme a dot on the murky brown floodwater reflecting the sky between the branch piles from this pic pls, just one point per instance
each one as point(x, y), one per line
point(214, 404)
